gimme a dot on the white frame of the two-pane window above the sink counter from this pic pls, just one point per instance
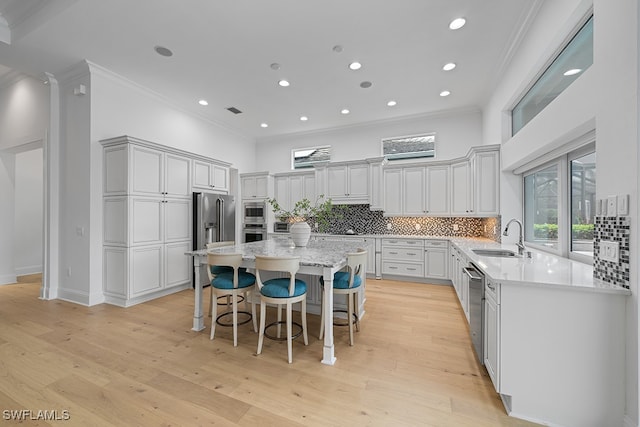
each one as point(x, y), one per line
point(562, 162)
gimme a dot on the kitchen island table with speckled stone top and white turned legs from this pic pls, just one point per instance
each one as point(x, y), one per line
point(320, 258)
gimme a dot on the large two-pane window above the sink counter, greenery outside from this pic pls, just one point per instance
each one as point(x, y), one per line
point(560, 203)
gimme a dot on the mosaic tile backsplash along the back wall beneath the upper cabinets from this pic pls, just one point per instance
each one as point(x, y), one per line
point(362, 220)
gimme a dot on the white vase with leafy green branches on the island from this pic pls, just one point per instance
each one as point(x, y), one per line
point(321, 213)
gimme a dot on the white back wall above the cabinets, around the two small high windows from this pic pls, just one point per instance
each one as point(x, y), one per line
point(455, 131)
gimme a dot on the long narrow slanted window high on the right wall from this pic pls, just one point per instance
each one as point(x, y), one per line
point(572, 61)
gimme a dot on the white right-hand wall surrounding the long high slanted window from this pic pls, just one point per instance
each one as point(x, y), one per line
point(605, 98)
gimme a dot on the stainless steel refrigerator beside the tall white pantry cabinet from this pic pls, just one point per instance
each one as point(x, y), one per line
point(214, 220)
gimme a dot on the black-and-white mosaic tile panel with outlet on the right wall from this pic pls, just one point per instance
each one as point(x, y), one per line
point(616, 229)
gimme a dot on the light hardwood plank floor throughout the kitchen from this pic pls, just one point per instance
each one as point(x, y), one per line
point(412, 365)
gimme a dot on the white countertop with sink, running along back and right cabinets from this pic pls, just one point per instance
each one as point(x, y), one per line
point(542, 269)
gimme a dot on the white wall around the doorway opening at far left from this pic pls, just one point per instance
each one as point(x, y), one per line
point(24, 113)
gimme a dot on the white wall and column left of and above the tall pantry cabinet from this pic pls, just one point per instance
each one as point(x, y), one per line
point(113, 106)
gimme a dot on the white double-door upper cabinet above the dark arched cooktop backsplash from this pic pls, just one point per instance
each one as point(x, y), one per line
point(348, 183)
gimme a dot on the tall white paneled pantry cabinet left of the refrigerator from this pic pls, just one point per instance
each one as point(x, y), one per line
point(147, 197)
